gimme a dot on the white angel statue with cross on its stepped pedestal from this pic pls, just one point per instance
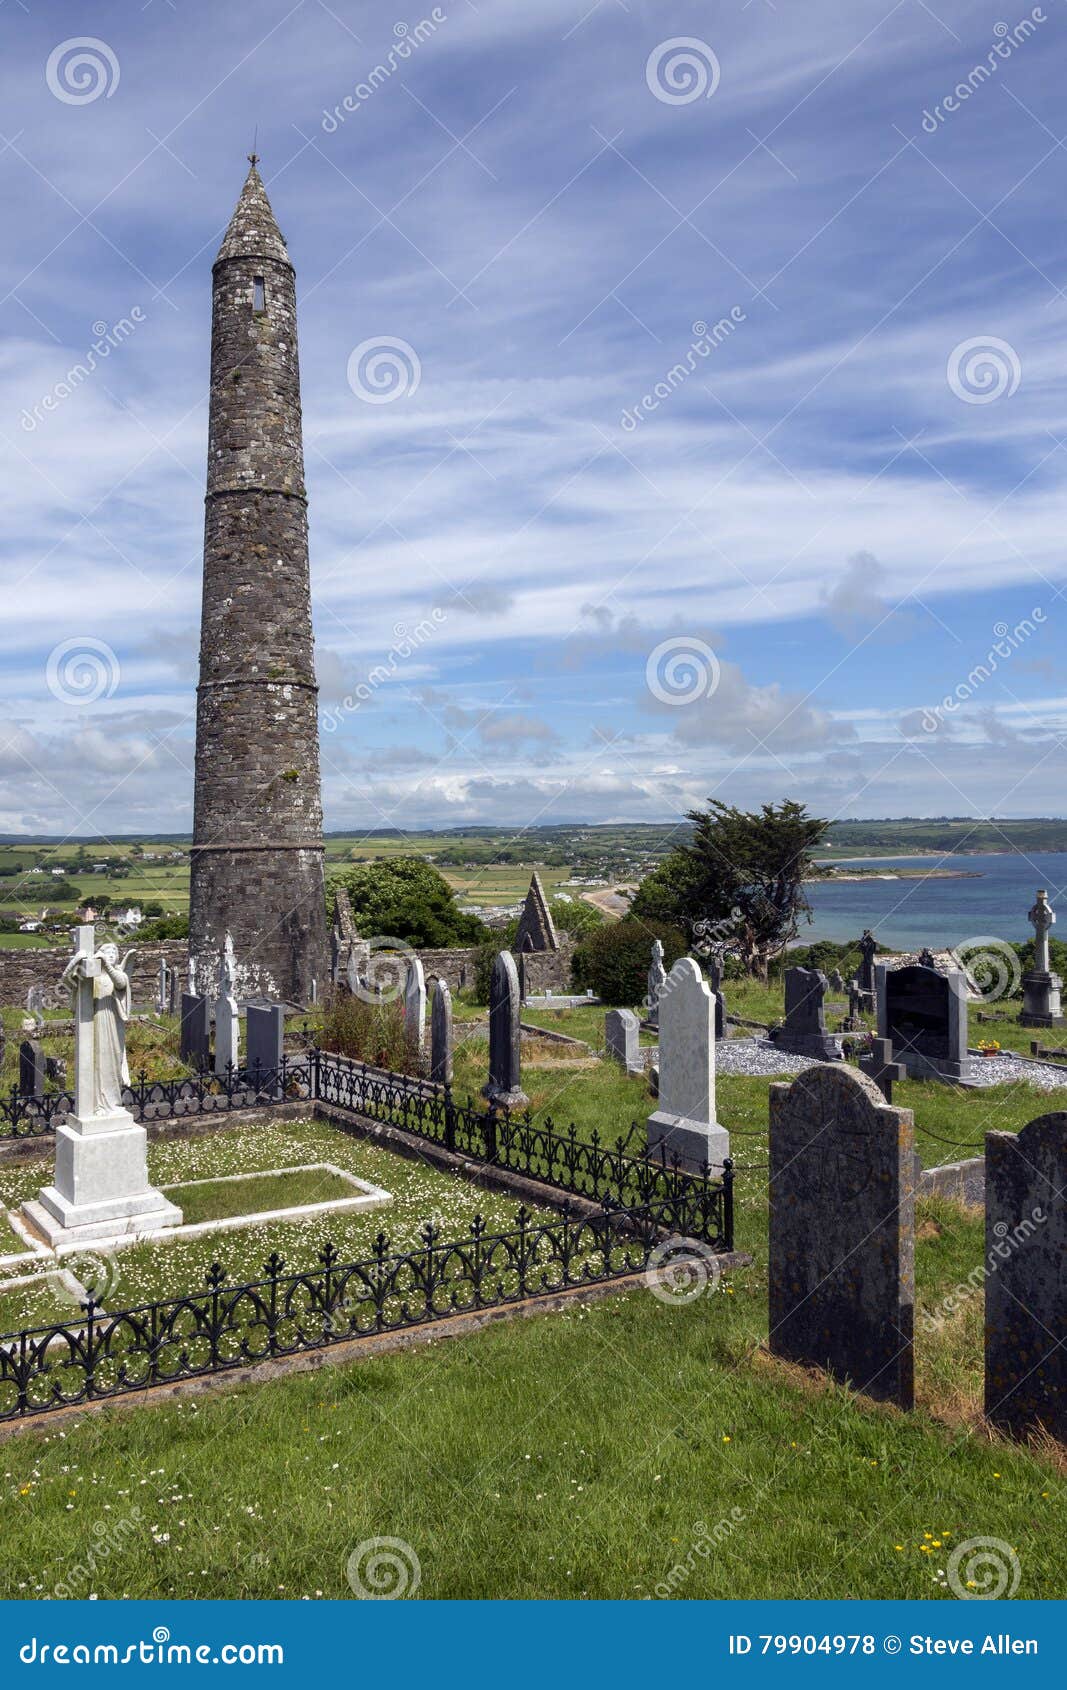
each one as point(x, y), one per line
point(101, 1189)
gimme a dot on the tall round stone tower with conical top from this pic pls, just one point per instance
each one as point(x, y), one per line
point(258, 817)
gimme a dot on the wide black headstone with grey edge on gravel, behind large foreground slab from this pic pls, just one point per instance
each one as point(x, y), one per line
point(924, 1015)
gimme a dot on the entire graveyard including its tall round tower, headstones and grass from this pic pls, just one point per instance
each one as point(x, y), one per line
point(549, 1245)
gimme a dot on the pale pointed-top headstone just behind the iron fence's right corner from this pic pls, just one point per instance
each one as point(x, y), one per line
point(684, 1123)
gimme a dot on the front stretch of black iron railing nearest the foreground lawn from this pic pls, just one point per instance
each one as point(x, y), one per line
point(226, 1327)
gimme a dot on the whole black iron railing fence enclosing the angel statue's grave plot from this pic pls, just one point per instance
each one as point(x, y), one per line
point(633, 1204)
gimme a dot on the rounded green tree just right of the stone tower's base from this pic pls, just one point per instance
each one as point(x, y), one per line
point(405, 898)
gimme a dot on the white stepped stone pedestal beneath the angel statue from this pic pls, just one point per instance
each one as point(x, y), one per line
point(102, 1186)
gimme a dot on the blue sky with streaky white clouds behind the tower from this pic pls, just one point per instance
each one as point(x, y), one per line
point(598, 591)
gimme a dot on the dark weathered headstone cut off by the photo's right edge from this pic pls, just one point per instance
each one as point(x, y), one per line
point(1027, 1278)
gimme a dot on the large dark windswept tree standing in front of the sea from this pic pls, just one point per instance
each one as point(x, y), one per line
point(741, 880)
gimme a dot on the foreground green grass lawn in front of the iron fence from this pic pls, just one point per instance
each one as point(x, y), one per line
point(588, 1453)
